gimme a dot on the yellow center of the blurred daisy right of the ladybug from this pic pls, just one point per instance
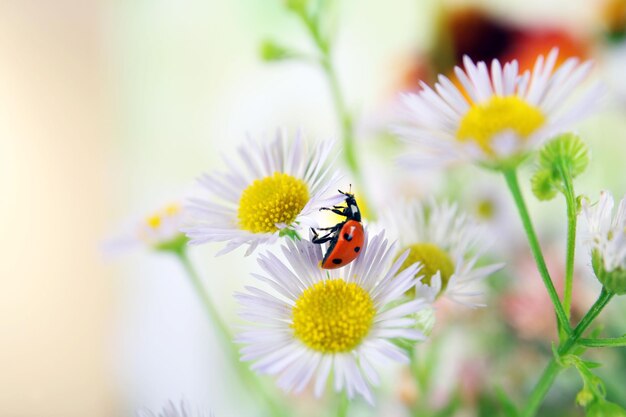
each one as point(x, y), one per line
point(433, 259)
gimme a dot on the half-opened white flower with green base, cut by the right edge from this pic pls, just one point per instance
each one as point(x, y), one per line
point(606, 238)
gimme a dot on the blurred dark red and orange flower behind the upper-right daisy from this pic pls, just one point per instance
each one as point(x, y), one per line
point(482, 35)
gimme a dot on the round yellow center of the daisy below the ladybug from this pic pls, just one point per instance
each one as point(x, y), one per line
point(333, 316)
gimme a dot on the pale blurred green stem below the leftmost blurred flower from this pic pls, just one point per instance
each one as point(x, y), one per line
point(248, 378)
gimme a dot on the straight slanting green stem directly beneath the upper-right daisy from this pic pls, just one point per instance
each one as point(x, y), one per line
point(511, 179)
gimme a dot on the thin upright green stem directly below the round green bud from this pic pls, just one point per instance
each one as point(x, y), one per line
point(570, 200)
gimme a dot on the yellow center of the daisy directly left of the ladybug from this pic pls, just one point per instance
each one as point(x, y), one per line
point(275, 199)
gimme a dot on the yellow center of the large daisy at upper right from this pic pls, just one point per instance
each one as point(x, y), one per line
point(485, 120)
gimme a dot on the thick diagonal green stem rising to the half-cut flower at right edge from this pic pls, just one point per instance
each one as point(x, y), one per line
point(554, 367)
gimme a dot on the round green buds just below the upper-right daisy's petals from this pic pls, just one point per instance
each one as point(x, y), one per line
point(560, 161)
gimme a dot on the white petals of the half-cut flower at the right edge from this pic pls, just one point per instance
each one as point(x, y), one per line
point(606, 233)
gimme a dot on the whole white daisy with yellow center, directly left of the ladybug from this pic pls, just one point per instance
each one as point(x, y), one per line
point(277, 187)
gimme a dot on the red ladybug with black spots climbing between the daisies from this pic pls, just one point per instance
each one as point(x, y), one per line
point(346, 238)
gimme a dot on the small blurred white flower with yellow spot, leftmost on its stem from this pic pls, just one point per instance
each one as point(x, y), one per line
point(159, 230)
